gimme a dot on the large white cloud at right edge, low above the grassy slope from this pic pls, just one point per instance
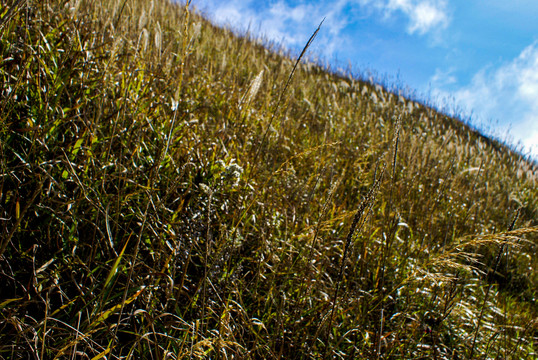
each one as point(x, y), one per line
point(508, 94)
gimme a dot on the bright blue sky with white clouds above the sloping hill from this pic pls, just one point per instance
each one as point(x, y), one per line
point(474, 58)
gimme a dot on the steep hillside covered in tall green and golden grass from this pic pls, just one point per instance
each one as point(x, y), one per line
point(169, 190)
